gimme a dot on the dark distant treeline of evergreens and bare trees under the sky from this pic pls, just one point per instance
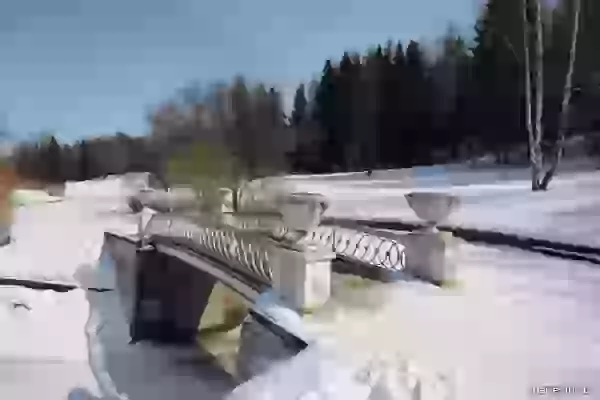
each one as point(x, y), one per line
point(394, 106)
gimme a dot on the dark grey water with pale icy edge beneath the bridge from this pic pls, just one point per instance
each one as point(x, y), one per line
point(143, 371)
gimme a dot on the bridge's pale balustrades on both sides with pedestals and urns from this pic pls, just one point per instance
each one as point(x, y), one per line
point(266, 243)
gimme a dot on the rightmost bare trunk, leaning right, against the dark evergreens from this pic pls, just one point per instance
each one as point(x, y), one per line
point(566, 101)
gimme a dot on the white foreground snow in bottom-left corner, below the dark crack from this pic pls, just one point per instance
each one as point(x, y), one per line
point(43, 348)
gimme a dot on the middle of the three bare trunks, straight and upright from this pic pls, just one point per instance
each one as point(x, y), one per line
point(539, 92)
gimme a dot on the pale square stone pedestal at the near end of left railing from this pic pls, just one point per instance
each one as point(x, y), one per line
point(302, 276)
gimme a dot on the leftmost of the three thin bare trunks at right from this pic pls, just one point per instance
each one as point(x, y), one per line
point(534, 147)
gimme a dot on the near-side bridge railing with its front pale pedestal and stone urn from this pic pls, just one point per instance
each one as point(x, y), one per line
point(300, 272)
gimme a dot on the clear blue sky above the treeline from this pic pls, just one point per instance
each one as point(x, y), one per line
point(88, 67)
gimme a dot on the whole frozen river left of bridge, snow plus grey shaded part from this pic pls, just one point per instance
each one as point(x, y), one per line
point(75, 345)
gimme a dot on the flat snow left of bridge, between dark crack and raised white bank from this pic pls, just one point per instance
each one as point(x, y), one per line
point(51, 241)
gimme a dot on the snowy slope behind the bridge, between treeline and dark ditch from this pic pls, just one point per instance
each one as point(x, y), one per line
point(499, 200)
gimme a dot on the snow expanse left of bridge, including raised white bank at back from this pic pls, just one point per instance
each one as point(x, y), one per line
point(51, 239)
